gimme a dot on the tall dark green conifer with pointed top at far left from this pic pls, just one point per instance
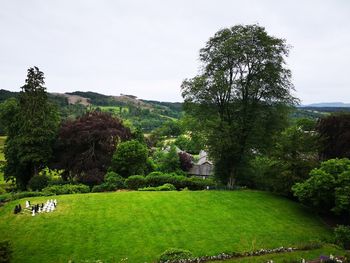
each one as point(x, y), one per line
point(31, 125)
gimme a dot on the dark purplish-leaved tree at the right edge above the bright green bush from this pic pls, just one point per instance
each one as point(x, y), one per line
point(335, 133)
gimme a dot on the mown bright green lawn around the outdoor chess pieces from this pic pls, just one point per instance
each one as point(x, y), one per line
point(141, 225)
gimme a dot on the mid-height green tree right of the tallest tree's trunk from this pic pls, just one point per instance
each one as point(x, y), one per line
point(291, 160)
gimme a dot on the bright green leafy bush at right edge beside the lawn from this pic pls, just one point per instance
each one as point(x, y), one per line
point(328, 187)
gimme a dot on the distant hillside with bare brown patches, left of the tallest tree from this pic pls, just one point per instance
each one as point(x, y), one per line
point(145, 114)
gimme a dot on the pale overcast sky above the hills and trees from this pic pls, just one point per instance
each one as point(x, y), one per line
point(147, 48)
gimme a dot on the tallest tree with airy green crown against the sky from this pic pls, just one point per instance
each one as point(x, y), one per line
point(240, 95)
